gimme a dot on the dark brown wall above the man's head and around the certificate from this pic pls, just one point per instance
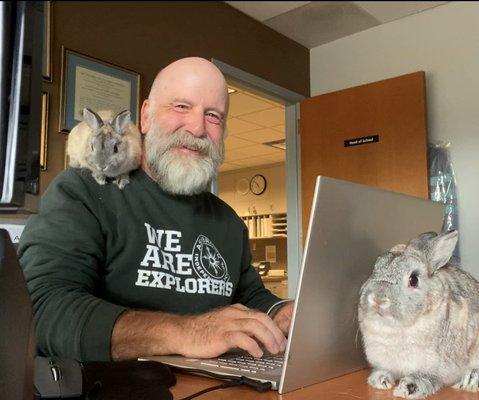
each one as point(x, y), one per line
point(146, 36)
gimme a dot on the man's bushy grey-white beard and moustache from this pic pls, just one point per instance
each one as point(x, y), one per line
point(179, 173)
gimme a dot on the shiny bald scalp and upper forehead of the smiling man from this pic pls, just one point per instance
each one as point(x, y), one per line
point(190, 70)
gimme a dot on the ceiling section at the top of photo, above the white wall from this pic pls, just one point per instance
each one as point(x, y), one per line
point(313, 23)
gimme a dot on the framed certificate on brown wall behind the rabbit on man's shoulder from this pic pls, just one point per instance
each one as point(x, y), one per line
point(89, 82)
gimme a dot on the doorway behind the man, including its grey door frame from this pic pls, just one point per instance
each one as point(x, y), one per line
point(273, 217)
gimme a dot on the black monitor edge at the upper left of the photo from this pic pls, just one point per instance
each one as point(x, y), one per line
point(21, 43)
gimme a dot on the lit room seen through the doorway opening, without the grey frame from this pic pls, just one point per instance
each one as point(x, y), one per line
point(252, 180)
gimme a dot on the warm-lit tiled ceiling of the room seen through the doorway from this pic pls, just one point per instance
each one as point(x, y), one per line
point(252, 121)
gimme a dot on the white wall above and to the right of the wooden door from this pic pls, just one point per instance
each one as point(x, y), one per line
point(443, 42)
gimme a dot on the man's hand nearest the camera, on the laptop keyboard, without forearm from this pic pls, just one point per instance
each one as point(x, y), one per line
point(214, 333)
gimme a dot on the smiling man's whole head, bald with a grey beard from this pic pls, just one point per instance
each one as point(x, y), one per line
point(184, 122)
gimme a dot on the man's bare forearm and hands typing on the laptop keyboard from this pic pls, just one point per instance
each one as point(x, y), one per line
point(144, 333)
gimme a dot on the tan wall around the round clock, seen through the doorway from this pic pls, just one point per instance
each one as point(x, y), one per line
point(273, 200)
